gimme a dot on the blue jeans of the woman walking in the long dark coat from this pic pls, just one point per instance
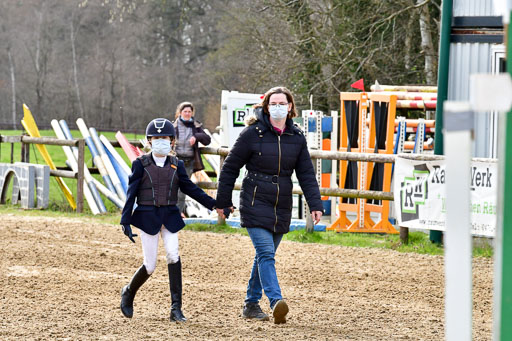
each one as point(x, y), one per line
point(263, 274)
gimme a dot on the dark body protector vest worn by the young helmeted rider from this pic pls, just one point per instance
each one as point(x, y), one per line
point(159, 185)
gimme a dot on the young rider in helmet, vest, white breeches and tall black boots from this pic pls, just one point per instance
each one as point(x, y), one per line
point(154, 184)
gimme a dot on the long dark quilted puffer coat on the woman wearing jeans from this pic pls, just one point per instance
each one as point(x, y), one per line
point(270, 159)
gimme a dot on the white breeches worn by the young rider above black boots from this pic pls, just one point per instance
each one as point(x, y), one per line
point(150, 248)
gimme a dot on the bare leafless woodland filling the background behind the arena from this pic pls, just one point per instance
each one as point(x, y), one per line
point(120, 63)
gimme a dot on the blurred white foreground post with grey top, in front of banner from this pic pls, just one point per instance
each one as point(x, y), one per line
point(458, 126)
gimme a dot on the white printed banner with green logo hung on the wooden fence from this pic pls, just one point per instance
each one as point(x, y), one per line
point(420, 195)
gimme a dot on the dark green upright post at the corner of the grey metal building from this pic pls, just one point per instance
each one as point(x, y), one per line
point(442, 87)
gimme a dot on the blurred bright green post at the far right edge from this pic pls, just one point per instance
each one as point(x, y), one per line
point(506, 251)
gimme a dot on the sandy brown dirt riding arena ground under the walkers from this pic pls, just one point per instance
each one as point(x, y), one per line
point(60, 279)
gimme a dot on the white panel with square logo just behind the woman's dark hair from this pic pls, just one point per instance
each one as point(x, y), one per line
point(235, 107)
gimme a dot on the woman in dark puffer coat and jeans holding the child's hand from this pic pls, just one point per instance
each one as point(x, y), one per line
point(271, 147)
